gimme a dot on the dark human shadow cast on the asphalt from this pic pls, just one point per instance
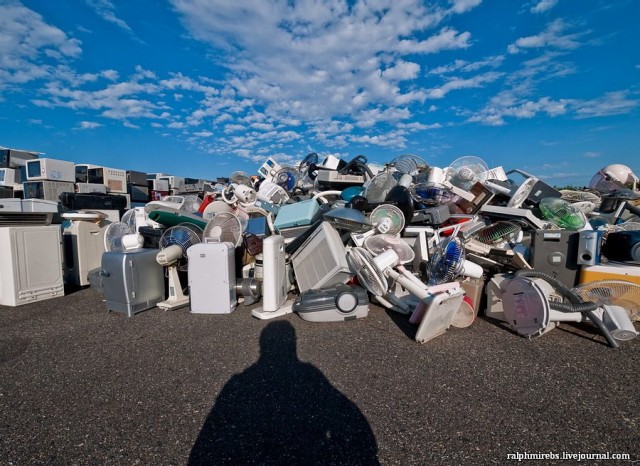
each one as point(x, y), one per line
point(283, 411)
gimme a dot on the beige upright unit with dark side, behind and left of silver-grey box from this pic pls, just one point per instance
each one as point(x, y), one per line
point(83, 245)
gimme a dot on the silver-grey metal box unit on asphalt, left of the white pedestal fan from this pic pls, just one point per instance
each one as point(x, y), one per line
point(132, 281)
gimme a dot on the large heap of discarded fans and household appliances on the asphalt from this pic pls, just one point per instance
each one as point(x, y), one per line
point(326, 238)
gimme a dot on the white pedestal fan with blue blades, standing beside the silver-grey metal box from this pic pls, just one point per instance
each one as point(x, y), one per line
point(174, 243)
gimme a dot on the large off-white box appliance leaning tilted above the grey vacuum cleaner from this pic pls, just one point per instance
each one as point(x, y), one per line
point(321, 260)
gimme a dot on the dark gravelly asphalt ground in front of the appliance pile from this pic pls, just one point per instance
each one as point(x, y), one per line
point(80, 385)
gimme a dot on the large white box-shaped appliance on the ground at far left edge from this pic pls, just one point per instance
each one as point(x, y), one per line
point(31, 266)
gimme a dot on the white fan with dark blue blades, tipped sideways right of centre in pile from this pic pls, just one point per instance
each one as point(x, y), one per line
point(448, 262)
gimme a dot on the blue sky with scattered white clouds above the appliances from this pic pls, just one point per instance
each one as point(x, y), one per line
point(204, 87)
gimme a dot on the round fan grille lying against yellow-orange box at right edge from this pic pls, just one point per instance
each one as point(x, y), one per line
point(616, 292)
